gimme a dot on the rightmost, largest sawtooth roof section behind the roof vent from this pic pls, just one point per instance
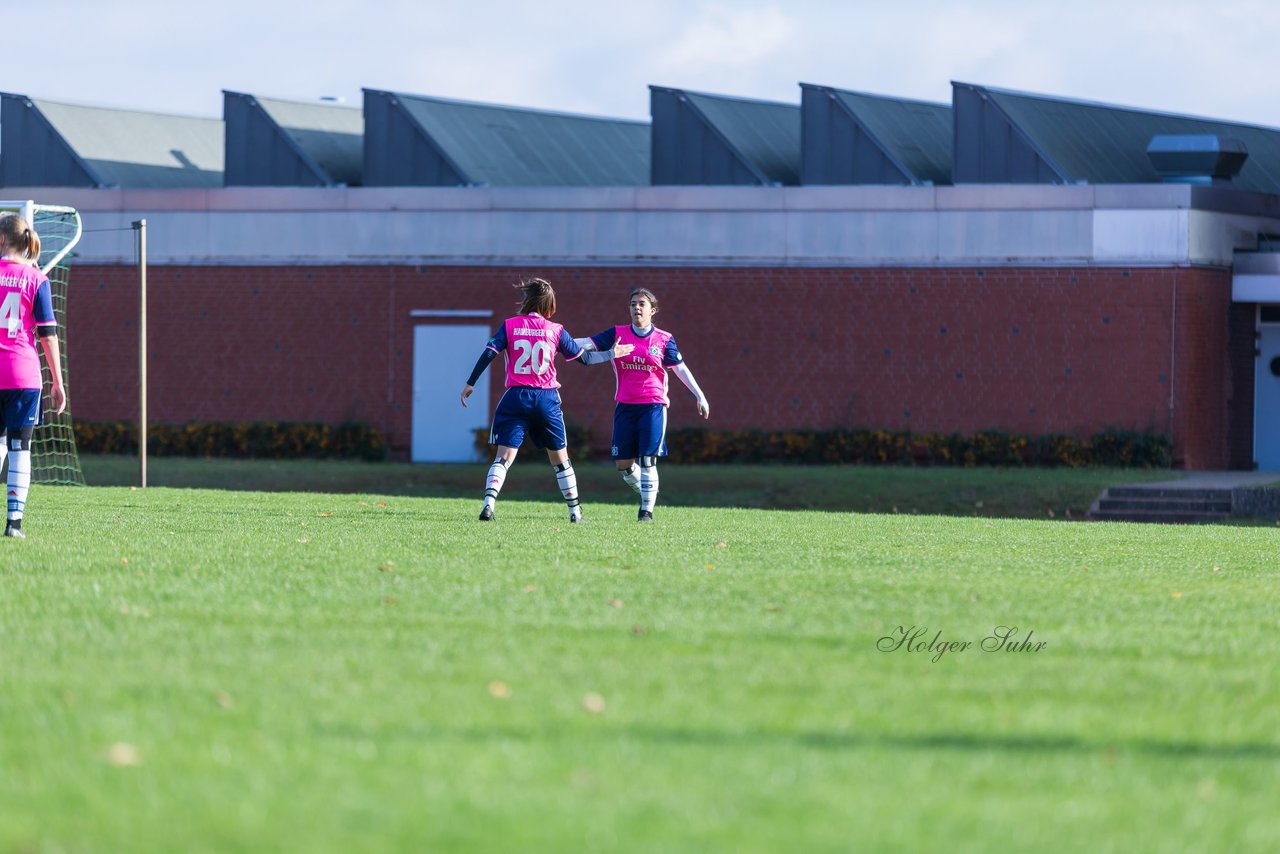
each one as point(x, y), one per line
point(1081, 141)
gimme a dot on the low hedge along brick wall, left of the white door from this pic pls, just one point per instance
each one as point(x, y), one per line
point(269, 440)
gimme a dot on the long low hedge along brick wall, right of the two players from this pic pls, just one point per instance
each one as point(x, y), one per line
point(1119, 449)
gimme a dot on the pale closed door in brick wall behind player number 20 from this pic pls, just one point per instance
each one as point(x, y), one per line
point(444, 358)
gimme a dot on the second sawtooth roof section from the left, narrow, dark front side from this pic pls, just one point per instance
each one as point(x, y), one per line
point(292, 144)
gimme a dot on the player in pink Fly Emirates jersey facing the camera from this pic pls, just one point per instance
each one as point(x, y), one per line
point(641, 417)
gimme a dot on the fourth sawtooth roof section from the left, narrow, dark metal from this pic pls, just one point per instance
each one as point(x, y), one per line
point(765, 136)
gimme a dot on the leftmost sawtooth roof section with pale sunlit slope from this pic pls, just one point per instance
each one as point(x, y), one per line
point(124, 148)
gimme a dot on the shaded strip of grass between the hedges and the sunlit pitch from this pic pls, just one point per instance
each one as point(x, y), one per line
point(1021, 494)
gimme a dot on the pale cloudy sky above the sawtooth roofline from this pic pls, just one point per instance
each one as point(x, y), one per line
point(1212, 58)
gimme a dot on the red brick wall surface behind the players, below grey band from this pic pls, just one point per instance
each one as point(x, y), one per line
point(1034, 350)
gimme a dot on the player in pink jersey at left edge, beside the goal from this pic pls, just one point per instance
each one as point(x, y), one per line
point(28, 312)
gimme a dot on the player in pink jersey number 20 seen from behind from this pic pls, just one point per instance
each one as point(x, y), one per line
point(532, 403)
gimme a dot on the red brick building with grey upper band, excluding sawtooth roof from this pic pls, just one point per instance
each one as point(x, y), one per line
point(1032, 309)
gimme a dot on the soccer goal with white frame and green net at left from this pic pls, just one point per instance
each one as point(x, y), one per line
point(53, 450)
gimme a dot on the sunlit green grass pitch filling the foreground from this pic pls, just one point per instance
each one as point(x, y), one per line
point(214, 670)
